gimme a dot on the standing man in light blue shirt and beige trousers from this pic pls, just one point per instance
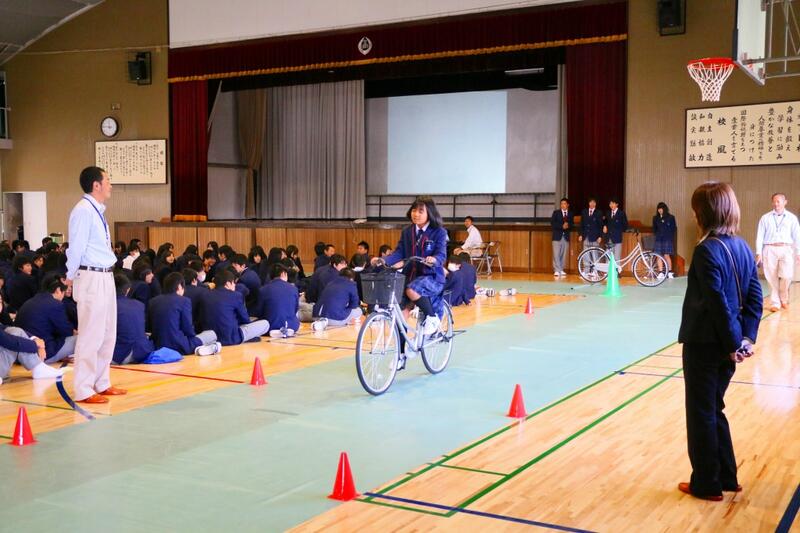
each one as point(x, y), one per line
point(90, 265)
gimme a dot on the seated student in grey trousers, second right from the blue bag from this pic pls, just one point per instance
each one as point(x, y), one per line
point(224, 312)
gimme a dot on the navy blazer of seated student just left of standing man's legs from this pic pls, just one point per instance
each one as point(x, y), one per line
point(45, 317)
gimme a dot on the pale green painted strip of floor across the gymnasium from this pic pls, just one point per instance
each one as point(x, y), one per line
point(246, 459)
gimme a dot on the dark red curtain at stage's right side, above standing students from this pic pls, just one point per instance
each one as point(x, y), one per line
point(595, 87)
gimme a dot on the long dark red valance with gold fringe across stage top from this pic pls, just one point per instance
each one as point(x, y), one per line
point(425, 40)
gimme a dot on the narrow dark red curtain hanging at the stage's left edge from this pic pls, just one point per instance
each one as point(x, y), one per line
point(189, 126)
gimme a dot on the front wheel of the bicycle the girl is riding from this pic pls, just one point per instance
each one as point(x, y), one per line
point(377, 353)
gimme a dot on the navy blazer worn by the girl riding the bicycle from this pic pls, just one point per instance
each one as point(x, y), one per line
point(433, 242)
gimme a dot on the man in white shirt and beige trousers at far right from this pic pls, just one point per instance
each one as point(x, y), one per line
point(778, 248)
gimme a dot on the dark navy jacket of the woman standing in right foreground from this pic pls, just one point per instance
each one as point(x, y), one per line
point(711, 305)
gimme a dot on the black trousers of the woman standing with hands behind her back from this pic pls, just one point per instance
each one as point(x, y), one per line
point(707, 371)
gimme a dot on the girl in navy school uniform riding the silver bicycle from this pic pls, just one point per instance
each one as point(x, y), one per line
point(425, 237)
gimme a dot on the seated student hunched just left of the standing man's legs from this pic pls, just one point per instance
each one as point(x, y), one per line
point(45, 316)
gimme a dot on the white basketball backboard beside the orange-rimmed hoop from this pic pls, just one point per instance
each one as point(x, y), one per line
point(750, 38)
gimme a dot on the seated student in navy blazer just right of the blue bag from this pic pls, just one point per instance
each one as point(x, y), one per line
point(170, 316)
